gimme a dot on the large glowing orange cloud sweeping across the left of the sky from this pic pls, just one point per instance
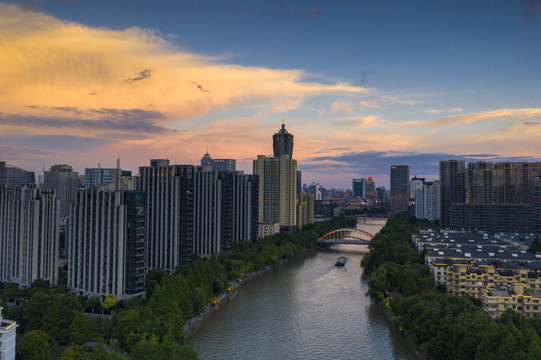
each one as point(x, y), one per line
point(51, 64)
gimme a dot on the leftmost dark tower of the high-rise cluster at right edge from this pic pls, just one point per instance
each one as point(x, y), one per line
point(452, 187)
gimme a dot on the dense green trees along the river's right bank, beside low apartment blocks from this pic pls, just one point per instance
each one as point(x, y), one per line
point(440, 325)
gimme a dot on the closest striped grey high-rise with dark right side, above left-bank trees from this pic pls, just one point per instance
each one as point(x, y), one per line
point(106, 243)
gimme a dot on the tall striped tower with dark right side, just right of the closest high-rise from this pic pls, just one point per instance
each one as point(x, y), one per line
point(169, 213)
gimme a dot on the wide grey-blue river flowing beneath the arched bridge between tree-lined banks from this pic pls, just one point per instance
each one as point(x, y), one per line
point(308, 309)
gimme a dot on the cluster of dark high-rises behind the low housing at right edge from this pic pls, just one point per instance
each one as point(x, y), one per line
point(490, 196)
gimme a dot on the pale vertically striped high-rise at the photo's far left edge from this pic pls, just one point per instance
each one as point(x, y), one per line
point(28, 235)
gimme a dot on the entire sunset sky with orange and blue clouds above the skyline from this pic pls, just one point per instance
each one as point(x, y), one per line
point(362, 85)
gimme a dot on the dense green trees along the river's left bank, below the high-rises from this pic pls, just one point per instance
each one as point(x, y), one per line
point(52, 323)
